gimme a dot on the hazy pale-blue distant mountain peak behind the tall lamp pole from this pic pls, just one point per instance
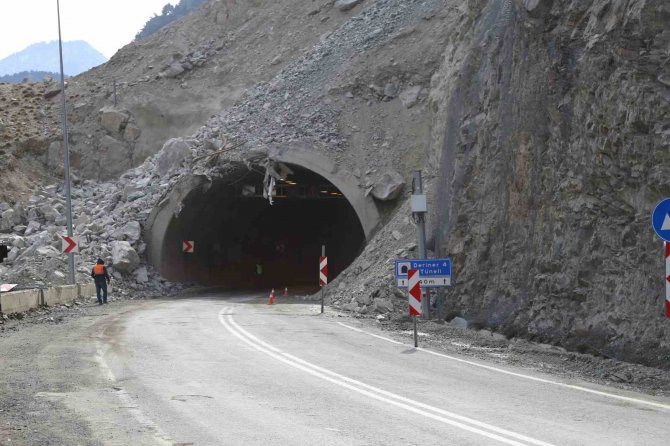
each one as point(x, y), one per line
point(78, 56)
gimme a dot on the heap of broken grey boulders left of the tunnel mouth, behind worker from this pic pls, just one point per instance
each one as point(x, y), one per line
point(107, 220)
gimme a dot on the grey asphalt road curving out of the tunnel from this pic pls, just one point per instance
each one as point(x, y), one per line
point(210, 371)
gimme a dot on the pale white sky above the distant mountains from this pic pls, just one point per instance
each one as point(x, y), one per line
point(105, 25)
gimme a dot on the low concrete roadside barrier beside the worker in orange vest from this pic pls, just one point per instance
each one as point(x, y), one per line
point(24, 300)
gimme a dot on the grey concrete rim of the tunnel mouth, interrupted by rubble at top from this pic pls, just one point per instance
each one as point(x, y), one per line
point(159, 222)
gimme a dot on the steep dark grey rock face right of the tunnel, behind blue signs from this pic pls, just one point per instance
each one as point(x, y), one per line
point(553, 134)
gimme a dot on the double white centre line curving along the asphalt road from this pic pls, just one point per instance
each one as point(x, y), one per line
point(416, 407)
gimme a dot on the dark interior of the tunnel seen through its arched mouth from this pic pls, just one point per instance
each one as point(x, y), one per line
point(234, 229)
